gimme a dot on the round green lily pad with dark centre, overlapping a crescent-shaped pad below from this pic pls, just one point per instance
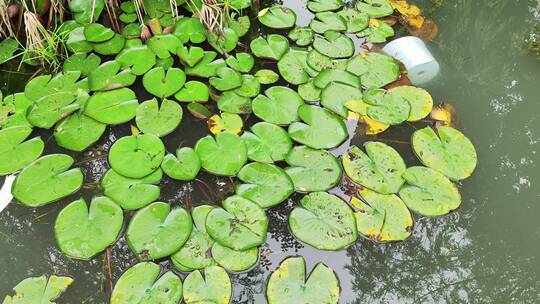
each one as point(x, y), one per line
point(241, 225)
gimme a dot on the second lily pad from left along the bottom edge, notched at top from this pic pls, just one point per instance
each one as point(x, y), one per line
point(140, 284)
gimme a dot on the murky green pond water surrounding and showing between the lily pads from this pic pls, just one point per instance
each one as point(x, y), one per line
point(485, 252)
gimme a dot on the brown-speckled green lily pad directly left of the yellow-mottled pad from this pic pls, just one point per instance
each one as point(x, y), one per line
point(323, 221)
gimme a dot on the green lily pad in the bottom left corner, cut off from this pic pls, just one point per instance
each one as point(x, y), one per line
point(39, 290)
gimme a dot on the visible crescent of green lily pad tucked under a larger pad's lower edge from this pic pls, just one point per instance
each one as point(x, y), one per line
point(234, 260)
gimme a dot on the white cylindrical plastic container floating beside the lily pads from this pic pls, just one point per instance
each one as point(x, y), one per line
point(414, 54)
